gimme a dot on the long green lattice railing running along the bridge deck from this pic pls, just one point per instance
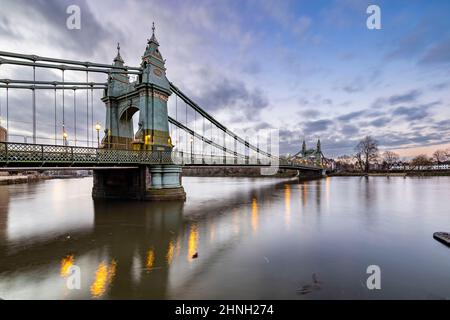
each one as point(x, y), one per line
point(24, 154)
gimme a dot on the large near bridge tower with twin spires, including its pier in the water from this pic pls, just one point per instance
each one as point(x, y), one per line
point(148, 95)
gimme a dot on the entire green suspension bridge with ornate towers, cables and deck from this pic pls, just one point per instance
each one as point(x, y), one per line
point(143, 164)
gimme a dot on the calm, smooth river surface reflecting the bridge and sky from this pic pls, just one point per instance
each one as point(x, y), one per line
point(255, 239)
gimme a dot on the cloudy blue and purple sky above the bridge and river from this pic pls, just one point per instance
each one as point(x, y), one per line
point(308, 68)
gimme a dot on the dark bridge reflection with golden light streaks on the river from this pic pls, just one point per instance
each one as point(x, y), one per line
point(124, 249)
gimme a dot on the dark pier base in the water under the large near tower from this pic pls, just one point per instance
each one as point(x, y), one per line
point(147, 183)
